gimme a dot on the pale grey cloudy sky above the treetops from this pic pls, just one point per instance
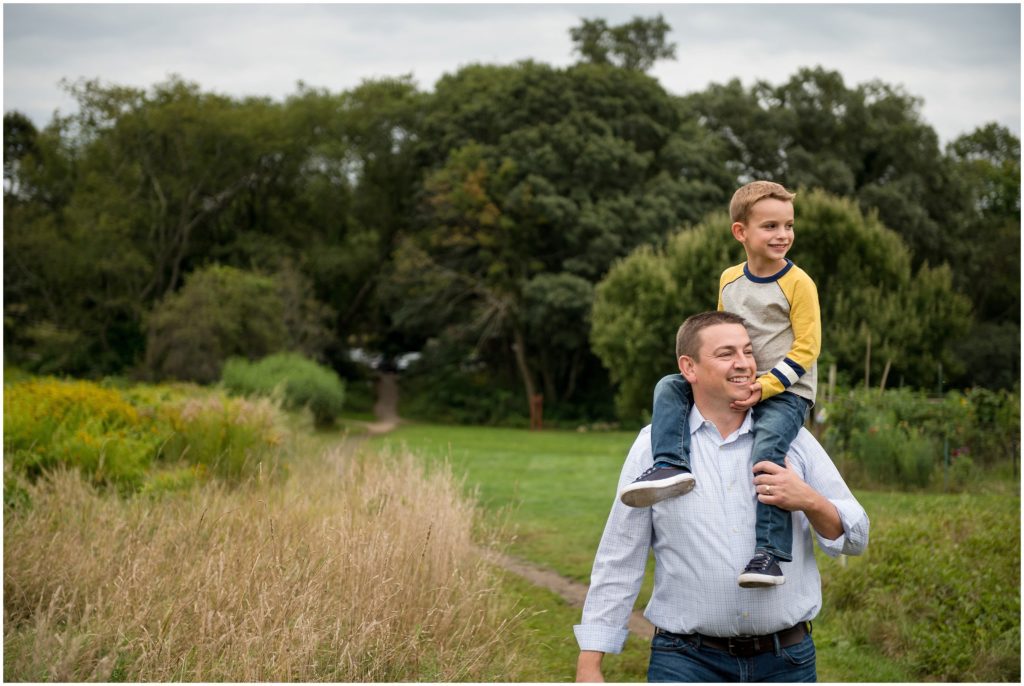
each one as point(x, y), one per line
point(963, 60)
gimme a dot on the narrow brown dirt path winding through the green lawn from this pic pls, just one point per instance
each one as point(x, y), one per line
point(573, 592)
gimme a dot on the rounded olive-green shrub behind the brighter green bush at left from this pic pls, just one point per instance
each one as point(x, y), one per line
point(221, 313)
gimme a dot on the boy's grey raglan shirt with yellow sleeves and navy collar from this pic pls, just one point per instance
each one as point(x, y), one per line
point(785, 323)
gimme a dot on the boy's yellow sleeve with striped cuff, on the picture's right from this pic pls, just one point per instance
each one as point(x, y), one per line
point(805, 316)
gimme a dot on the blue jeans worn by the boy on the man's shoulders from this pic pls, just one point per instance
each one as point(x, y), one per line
point(777, 423)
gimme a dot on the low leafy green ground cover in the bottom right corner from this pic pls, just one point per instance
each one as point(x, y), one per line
point(937, 590)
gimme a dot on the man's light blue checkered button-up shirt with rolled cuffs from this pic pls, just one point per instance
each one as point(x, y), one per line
point(704, 540)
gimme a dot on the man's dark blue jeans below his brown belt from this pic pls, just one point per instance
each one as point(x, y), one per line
point(678, 660)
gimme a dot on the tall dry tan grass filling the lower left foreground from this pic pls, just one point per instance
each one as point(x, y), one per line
point(356, 570)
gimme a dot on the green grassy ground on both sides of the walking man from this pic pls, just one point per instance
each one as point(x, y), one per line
point(936, 597)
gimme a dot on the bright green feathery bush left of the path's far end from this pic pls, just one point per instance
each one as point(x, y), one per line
point(302, 382)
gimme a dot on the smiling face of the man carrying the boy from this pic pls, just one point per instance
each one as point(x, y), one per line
point(726, 368)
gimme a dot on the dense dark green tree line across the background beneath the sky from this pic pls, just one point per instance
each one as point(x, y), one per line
point(482, 213)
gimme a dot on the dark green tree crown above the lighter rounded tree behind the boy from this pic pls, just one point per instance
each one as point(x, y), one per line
point(868, 142)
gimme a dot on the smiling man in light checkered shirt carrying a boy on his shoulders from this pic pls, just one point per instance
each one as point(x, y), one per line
point(708, 628)
